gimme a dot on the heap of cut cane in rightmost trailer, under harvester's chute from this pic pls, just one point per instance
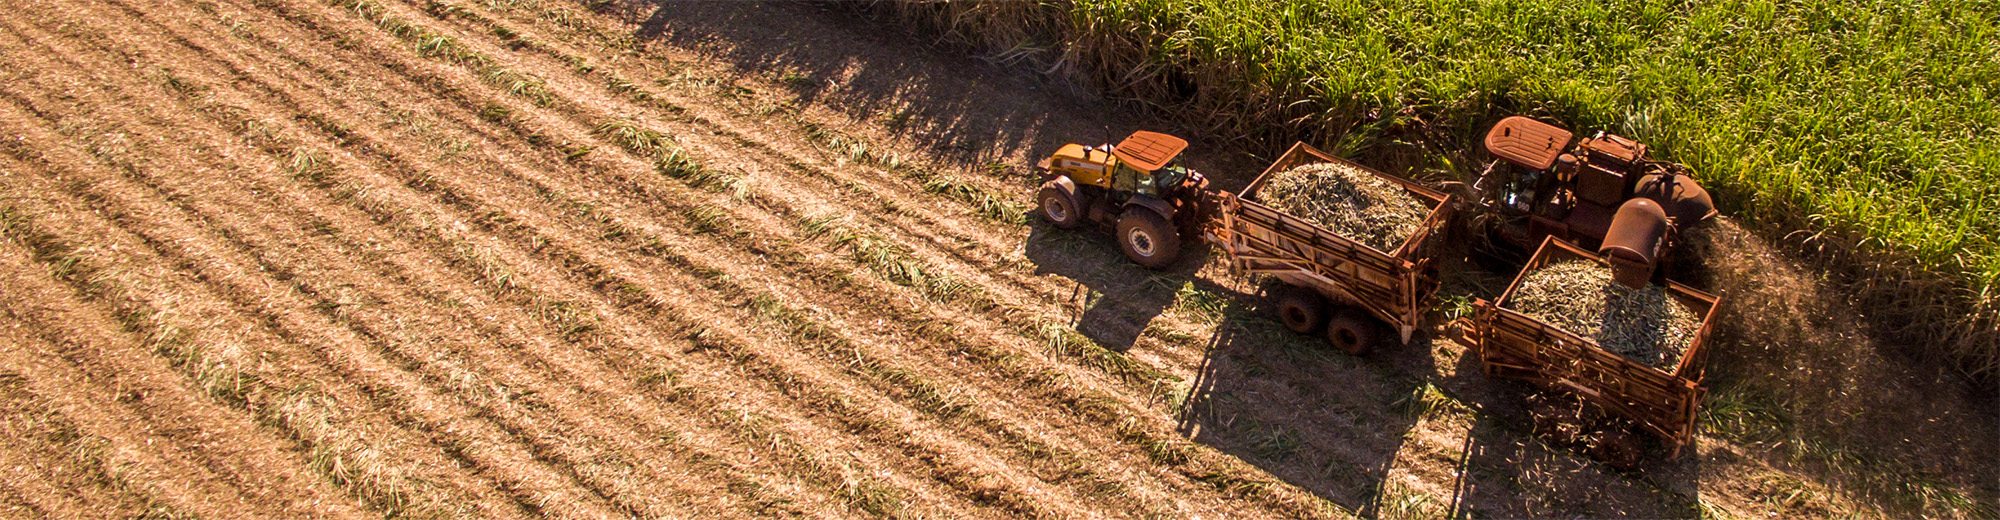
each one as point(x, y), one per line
point(1645, 325)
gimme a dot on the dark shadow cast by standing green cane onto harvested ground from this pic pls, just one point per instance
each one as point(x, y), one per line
point(959, 111)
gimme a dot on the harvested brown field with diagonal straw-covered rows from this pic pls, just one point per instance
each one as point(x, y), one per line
point(295, 259)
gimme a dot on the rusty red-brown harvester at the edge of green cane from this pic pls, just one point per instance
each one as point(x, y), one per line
point(1601, 193)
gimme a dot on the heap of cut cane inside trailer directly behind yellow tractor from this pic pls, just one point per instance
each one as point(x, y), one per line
point(1347, 201)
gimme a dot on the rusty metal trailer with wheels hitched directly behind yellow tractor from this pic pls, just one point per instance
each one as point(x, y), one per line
point(1339, 285)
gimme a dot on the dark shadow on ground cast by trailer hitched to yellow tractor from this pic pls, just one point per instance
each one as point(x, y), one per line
point(1301, 411)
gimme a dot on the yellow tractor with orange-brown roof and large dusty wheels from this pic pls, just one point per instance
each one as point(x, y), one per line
point(1139, 187)
